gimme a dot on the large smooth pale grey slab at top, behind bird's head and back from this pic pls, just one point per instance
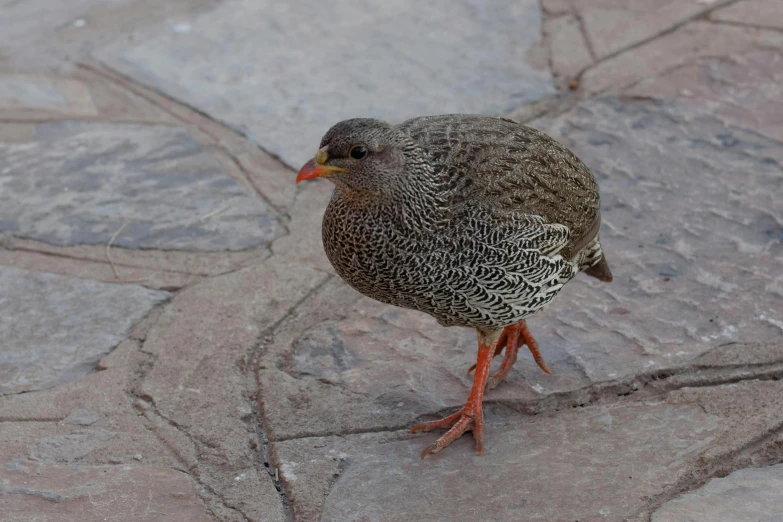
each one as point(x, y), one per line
point(285, 72)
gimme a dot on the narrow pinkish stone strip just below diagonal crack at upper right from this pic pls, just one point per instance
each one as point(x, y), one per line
point(694, 40)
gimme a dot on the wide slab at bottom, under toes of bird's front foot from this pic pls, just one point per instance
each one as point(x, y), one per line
point(599, 463)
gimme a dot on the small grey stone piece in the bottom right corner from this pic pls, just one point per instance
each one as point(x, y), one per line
point(745, 495)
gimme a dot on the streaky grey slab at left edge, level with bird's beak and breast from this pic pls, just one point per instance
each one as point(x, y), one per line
point(79, 183)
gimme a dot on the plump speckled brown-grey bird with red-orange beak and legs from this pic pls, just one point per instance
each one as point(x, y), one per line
point(475, 220)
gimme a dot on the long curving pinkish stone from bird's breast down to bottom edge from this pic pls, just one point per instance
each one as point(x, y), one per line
point(202, 358)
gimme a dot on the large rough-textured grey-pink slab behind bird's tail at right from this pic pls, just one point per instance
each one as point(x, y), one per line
point(690, 227)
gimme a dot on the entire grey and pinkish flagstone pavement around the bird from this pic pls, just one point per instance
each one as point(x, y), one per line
point(175, 345)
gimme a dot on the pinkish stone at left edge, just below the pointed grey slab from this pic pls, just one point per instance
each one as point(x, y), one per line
point(51, 424)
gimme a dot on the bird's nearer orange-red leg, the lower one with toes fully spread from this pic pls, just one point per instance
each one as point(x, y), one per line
point(471, 416)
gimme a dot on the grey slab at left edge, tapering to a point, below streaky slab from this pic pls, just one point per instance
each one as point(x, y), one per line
point(55, 329)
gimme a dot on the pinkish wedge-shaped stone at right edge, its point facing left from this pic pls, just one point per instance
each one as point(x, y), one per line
point(741, 89)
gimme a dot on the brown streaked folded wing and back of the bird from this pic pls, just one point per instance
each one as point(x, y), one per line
point(509, 167)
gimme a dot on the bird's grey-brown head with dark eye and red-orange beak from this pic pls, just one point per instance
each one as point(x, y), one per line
point(362, 154)
